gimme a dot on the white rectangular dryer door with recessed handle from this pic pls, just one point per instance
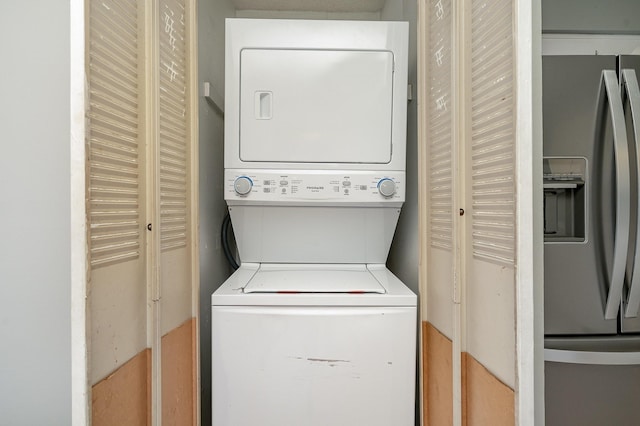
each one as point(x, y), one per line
point(312, 106)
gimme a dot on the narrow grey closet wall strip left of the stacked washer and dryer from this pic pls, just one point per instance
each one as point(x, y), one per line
point(213, 266)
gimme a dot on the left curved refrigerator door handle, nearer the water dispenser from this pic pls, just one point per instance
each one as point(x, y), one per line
point(609, 84)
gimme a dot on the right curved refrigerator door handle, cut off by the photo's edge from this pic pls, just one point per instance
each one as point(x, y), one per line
point(629, 83)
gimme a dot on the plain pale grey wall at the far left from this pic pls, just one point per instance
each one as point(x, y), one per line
point(35, 327)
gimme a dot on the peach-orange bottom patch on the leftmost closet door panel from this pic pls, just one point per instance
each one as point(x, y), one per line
point(123, 398)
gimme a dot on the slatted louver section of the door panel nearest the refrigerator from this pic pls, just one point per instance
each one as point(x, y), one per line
point(493, 132)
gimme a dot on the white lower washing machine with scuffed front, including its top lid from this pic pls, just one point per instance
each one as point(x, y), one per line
point(313, 345)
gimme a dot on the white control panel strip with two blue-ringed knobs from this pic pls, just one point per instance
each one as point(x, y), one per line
point(313, 185)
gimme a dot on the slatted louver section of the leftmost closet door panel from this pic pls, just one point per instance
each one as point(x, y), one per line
point(114, 172)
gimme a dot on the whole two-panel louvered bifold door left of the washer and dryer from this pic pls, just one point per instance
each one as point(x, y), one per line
point(140, 143)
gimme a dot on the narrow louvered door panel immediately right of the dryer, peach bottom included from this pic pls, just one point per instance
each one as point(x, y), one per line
point(438, 325)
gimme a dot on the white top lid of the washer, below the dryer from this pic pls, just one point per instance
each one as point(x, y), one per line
point(313, 279)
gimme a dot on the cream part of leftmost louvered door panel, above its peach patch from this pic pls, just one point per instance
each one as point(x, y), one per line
point(116, 186)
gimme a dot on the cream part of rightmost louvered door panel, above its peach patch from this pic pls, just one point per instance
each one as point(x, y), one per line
point(491, 200)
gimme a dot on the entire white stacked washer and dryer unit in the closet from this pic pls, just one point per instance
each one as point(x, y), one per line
point(313, 329)
